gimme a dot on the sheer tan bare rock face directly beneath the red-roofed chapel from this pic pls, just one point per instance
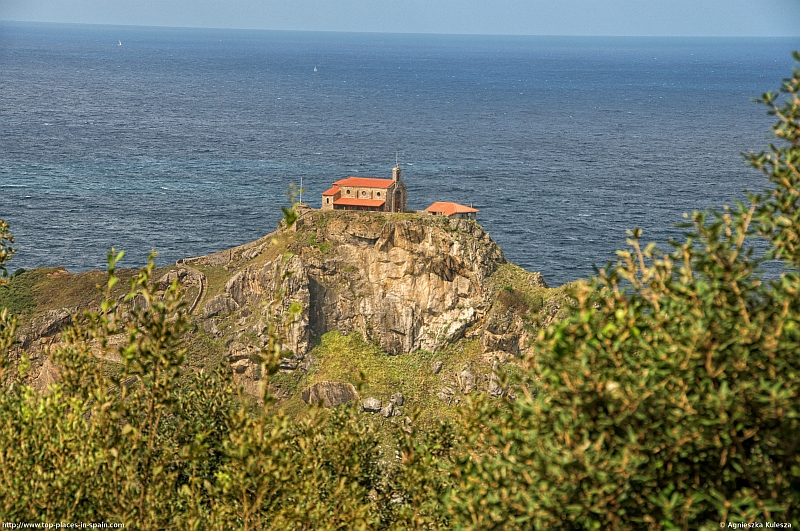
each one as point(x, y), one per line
point(413, 284)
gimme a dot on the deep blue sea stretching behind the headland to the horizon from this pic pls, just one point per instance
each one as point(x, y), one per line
point(184, 140)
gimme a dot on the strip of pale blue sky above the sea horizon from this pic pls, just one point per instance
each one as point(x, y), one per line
point(497, 17)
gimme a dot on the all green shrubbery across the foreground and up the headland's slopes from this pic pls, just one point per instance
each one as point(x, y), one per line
point(666, 398)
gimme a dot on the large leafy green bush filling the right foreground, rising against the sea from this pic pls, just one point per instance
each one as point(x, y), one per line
point(668, 399)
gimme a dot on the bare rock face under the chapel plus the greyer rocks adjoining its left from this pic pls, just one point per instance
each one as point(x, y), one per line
point(406, 283)
